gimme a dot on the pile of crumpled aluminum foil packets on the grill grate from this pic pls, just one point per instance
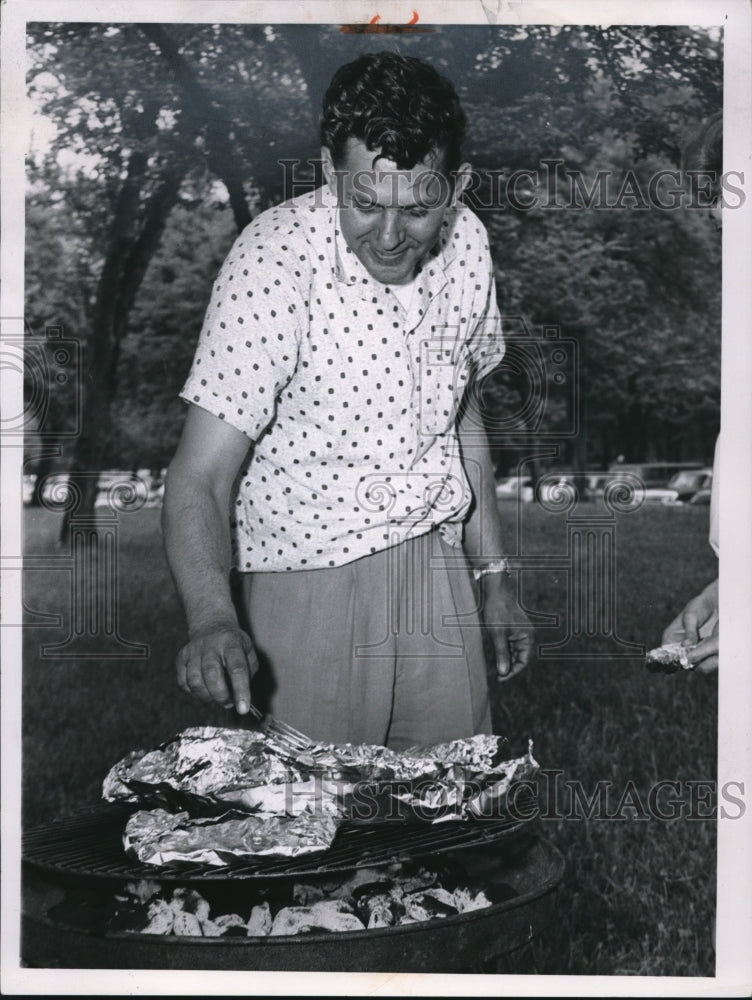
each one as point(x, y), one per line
point(211, 795)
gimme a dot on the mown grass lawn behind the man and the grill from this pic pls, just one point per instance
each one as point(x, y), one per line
point(639, 893)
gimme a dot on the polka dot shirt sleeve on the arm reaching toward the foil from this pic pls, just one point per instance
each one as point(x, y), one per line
point(247, 350)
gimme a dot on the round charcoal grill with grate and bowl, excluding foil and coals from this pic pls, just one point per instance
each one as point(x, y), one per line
point(86, 851)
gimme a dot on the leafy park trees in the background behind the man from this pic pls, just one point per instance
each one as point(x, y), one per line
point(170, 137)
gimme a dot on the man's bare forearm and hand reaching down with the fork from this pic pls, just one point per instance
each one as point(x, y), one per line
point(218, 661)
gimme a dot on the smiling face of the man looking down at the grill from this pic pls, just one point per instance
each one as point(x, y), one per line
point(390, 218)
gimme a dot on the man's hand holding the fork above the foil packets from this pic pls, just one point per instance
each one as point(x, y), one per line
point(217, 665)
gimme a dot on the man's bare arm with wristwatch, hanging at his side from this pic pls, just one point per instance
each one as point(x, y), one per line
point(507, 623)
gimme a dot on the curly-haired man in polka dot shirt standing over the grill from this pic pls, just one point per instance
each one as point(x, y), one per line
point(325, 395)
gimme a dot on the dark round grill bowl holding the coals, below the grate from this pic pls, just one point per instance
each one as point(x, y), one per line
point(464, 943)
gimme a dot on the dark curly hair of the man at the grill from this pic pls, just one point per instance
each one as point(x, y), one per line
point(398, 105)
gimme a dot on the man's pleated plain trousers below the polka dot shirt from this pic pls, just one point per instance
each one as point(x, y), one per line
point(386, 650)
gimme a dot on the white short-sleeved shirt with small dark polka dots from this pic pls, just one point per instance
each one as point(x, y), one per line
point(350, 400)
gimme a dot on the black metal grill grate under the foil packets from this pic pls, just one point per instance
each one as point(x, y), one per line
point(90, 845)
